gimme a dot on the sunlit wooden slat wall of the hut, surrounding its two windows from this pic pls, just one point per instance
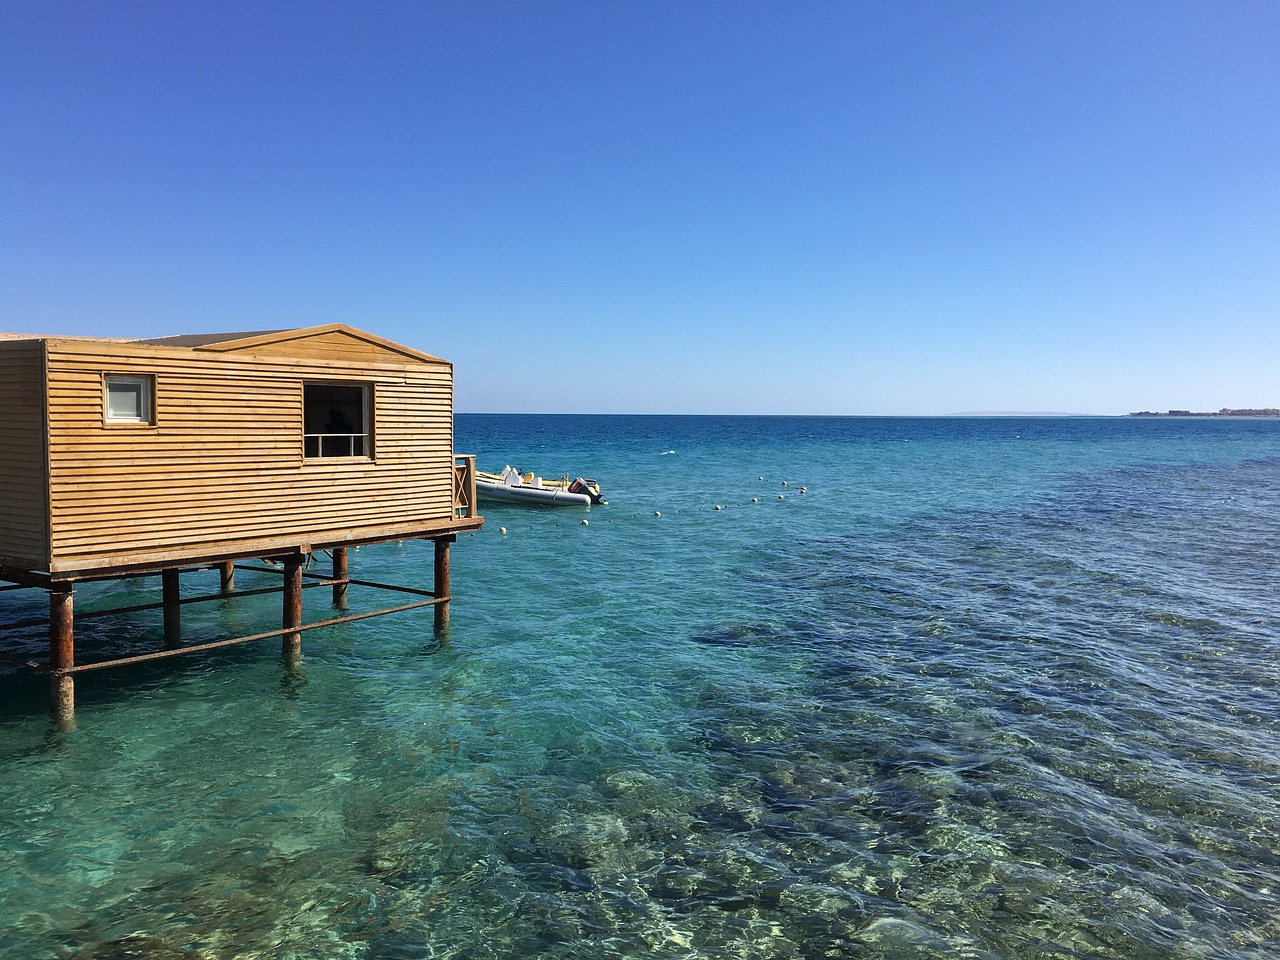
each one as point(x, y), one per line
point(223, 461)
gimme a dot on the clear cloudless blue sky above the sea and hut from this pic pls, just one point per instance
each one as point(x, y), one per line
point(671, 205)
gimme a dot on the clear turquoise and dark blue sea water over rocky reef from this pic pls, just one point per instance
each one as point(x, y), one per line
point(989, 688)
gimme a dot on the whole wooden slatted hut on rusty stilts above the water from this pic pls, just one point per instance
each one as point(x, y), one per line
point(152, 458)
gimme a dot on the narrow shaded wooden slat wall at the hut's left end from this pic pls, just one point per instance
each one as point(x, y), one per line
point(24, 511)
